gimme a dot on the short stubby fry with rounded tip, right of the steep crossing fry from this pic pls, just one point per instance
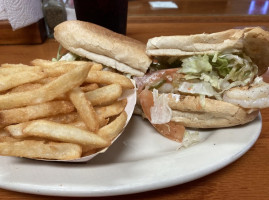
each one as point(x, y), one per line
point(104, 95)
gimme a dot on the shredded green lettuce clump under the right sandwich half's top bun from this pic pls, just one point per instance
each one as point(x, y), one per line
point(222, 71)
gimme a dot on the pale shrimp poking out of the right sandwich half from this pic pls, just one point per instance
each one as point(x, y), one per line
point(254, 96)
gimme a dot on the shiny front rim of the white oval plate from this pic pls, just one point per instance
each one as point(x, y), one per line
point(142, 188)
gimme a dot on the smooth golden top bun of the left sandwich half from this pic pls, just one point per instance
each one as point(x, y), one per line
point(103, 46)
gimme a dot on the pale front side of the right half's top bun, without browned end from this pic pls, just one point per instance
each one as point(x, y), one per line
point(181, 45)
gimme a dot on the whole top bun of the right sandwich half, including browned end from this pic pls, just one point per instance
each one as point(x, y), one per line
point(252, 41)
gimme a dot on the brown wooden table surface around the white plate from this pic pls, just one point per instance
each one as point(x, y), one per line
point(246, 178)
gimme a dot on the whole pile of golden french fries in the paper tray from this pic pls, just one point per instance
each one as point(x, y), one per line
point(60, 110)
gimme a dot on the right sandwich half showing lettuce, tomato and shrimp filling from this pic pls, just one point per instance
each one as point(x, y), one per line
point(205, 80)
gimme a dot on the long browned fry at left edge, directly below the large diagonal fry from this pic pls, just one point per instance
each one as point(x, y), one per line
point(23, 114)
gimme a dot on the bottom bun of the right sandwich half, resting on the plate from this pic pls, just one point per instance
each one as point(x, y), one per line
point(190, 111)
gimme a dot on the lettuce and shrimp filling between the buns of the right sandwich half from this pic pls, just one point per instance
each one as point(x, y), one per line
point(207, 76)
